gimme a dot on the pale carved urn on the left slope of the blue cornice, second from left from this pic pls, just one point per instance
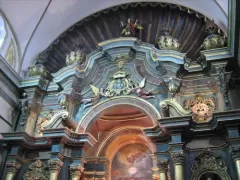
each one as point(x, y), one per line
point(77, 55)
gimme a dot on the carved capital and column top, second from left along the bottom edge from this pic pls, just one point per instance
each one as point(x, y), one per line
point(54, 167)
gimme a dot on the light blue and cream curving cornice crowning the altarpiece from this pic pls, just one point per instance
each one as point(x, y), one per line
point(169, 59)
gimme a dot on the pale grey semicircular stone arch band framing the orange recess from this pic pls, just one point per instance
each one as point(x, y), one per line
point(92, 115)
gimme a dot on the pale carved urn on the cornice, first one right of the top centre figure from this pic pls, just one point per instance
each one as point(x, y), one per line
point(167, 42)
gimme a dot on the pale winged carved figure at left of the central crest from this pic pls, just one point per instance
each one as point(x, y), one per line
point(98, 94)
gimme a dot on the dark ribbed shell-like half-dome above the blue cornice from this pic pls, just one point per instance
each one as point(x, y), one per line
point(186, 25)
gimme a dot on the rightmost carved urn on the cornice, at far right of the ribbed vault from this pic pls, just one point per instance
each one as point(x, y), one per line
point(214, 39)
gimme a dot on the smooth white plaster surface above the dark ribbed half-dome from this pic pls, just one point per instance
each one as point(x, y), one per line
point(24, 16)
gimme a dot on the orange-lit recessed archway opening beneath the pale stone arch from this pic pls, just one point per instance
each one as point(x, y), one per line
point(119, 135)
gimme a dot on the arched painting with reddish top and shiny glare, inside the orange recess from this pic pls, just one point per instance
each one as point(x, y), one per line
point(132, 162)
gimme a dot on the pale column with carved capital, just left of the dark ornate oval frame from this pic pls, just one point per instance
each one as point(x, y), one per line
point(178, 160)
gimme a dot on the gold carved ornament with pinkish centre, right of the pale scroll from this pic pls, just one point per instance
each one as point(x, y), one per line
point(201, 107)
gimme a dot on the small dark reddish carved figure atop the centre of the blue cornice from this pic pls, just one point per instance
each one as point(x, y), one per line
point(130, 27)
